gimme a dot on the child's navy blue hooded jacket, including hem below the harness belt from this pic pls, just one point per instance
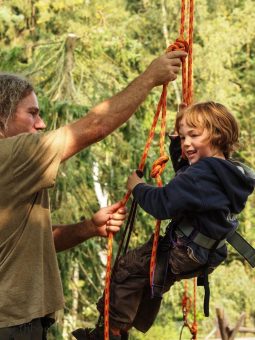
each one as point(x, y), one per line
point(206, 194)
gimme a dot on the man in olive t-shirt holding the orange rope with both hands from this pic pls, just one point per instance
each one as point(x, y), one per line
point(31, 290)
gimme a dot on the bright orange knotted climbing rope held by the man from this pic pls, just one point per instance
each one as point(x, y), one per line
point(159, 165)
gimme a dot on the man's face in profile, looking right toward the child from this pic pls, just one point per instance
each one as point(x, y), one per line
point(26, 118)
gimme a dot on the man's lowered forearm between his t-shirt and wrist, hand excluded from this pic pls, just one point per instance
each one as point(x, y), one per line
point(69, 235)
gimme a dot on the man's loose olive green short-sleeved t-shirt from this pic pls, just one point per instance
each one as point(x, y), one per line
point(30, 285)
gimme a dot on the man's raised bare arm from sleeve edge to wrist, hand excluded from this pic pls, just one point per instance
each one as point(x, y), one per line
point(107, 116)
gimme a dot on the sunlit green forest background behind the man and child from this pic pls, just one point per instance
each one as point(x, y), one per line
point(79, 52)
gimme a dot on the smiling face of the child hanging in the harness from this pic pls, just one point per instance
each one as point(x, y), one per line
point(196, 143)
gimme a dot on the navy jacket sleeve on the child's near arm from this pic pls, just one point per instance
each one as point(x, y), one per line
point(180, 195)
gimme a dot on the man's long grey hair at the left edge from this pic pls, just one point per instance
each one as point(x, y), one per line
point(13, 88)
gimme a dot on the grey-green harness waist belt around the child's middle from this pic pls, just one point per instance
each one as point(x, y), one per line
point(199, 238)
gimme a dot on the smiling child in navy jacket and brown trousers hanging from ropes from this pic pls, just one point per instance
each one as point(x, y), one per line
point(200, 200)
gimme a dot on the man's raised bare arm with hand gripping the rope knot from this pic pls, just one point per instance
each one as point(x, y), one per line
point(110, 114)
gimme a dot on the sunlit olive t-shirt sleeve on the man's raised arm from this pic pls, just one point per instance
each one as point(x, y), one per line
point(36, 159)
